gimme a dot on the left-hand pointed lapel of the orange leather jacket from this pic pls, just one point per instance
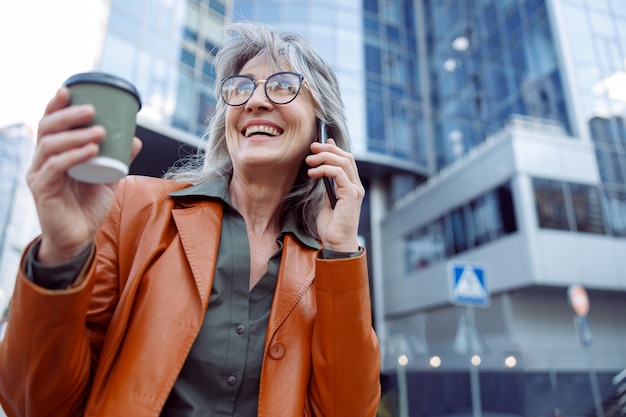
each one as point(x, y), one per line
point(199, 227)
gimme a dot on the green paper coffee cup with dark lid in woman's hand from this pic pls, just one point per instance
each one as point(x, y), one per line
point(116, 102)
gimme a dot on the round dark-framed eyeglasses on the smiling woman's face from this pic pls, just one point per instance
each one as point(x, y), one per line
point(280, 88)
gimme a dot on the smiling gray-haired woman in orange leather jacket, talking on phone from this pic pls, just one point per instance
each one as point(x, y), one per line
point(231, 288)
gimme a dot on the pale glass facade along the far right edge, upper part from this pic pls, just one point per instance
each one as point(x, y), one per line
point(596, 35)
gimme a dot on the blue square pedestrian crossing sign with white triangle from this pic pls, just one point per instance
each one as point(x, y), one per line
point(468, 285)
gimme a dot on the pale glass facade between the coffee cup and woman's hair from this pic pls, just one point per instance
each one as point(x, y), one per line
point(165, 48)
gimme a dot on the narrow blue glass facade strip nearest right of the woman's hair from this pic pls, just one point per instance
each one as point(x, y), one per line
point(392, 87)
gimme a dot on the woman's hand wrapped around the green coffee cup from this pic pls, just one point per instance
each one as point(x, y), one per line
point(70, 212)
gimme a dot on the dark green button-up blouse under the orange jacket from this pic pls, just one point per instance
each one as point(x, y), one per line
point(222, 372)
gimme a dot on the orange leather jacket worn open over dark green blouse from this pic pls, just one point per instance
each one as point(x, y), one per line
point(114, 344)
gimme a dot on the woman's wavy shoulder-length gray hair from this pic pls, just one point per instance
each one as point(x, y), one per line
point(245, 41)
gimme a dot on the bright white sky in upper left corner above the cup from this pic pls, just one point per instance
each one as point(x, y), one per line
point(42, 43)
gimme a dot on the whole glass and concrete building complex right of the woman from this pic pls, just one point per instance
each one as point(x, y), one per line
point(505, 119)
